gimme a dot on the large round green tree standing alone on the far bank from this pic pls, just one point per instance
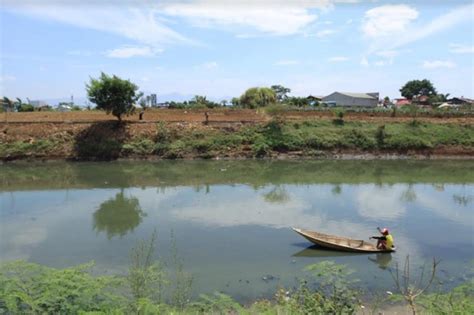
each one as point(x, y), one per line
point(112, 94)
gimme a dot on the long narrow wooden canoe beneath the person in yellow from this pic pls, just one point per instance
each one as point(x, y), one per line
point(340, 243)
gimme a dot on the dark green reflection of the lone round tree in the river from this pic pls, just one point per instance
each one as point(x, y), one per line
point(118, 216)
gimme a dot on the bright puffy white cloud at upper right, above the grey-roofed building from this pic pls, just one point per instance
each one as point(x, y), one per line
point(387, 20)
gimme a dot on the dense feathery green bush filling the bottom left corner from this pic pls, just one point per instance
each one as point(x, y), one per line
point(53, 291)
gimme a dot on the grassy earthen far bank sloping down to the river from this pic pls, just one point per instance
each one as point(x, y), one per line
point(276, 138)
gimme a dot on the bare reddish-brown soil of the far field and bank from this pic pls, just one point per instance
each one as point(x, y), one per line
point(66, 128)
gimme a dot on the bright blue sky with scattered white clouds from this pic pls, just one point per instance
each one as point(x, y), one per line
point(219, 48)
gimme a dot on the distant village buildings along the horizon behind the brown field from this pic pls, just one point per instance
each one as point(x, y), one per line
point(335, 99)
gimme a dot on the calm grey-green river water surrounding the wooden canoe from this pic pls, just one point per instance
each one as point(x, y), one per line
point(229, 222)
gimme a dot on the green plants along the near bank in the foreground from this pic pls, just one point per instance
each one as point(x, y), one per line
point(27, 288)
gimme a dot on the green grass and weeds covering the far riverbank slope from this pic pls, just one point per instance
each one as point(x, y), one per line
point(305, 139)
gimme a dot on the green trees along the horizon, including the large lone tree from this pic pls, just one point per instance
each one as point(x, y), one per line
point(120, 97)
